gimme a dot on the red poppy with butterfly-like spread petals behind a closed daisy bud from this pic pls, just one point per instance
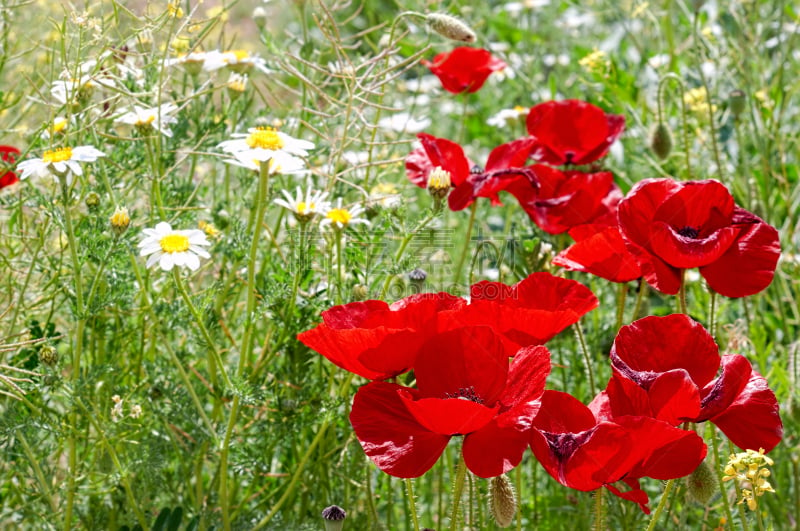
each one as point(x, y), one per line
point(504, 170)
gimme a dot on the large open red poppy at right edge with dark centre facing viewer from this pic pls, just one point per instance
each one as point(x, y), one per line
point(670, 226)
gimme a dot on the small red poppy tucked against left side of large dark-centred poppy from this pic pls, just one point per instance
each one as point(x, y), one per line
point(599, 250)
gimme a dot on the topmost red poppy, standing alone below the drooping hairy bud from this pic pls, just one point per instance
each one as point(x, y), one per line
point(464, 69)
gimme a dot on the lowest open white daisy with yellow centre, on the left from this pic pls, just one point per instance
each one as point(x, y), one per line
point(169, 248)
